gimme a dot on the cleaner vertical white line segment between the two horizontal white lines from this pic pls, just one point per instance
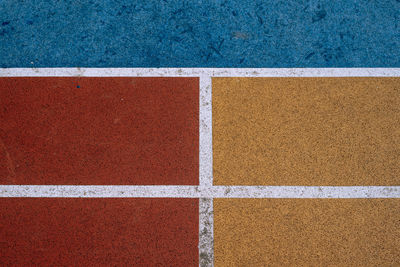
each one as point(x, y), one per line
point(205, 132)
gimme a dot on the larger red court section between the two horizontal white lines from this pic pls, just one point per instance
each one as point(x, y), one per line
point(119, 130)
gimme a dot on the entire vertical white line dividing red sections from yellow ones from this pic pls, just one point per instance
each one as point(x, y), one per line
point(206, 217)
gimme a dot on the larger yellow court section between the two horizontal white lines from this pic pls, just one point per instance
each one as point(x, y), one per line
point(306, 131)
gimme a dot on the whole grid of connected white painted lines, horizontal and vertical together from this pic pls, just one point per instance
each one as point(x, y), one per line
point(206, 192)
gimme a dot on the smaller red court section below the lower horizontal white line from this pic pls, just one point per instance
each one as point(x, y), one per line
point(98, 232)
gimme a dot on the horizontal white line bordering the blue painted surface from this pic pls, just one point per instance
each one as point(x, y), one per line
point(195, 72)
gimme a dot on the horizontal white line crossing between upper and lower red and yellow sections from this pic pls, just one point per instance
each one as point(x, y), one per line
point(116, 191)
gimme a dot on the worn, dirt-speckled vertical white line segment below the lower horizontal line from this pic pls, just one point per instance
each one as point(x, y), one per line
point(206, 232)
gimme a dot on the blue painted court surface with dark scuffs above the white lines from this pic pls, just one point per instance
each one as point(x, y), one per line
point(196, 33)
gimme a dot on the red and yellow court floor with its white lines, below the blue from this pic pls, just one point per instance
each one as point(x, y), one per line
point(189, 167)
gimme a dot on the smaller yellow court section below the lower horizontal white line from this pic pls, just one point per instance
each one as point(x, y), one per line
point(307, 232)
